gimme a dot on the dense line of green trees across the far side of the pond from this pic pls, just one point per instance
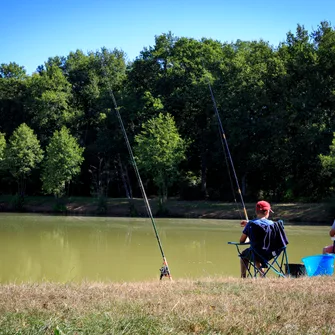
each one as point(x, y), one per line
point(59, 133)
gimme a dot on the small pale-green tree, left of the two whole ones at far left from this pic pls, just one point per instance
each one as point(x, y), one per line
point(22, 154)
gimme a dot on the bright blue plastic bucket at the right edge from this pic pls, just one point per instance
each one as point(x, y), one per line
point(319, 265)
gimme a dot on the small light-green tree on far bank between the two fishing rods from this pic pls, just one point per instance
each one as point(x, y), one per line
point(159, 151)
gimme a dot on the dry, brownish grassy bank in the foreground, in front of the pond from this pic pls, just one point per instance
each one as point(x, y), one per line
point(208, 306)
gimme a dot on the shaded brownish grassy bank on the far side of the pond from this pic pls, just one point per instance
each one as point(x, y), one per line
point(289, 212)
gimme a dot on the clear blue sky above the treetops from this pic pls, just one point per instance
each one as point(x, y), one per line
point(32, 31)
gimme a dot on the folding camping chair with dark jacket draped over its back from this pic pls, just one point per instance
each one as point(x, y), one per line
point(267, 246)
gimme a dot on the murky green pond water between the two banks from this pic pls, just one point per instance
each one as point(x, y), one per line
point(35, 248)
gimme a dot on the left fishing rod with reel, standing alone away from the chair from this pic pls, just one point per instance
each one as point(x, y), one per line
point(164, 270)
